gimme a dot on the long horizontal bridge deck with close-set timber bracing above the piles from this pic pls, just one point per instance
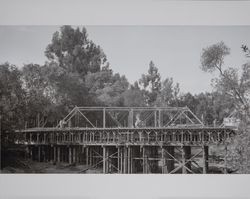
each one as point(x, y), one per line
point(168, 136)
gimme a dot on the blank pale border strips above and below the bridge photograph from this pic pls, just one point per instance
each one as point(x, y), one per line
point(121, 12)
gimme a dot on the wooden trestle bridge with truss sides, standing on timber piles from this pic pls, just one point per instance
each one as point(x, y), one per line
point(128, 140)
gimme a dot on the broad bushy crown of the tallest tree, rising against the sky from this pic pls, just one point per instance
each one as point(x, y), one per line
point(73, 51)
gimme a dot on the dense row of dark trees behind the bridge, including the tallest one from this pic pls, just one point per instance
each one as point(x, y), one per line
point(77, 73)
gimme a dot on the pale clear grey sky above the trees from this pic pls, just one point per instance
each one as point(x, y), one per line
point(175, 50)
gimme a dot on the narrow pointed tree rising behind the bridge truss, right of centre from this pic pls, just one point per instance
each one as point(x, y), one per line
point(151, 83)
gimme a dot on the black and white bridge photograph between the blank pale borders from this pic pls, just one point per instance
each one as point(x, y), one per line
point(80, 99)
